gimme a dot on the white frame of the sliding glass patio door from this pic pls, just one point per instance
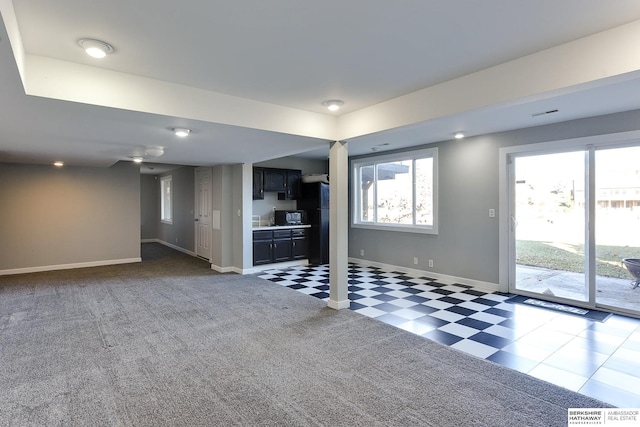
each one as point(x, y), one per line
point(507, 264)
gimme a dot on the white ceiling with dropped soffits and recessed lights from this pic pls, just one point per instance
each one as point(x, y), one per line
point(272, 63)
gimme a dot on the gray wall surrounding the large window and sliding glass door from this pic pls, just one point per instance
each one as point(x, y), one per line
point(467, 243)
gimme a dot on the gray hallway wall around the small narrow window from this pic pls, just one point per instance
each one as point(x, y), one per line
point(181, 232)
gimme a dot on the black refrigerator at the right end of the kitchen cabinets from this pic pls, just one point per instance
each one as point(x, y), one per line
point(314, 198)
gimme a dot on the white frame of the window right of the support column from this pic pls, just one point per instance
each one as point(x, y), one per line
point(357, 164)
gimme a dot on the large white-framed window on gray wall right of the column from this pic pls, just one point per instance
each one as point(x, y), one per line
point(397, 191)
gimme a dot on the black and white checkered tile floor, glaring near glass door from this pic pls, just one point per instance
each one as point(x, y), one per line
point(598, 359)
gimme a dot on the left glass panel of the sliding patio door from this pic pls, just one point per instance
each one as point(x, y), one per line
point(549, 225)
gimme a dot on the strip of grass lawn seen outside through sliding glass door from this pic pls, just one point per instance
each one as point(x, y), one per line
point(570, 257)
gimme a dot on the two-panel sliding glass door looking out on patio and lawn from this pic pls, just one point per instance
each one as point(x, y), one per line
point(575, 217)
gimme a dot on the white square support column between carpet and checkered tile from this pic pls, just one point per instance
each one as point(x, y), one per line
point(339, 226)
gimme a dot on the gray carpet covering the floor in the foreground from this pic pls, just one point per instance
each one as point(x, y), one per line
point(169, 342)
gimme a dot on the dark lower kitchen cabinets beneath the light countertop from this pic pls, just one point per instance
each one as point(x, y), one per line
point(271, 246)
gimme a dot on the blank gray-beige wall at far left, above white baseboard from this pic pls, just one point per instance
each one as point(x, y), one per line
point(59, 216)
